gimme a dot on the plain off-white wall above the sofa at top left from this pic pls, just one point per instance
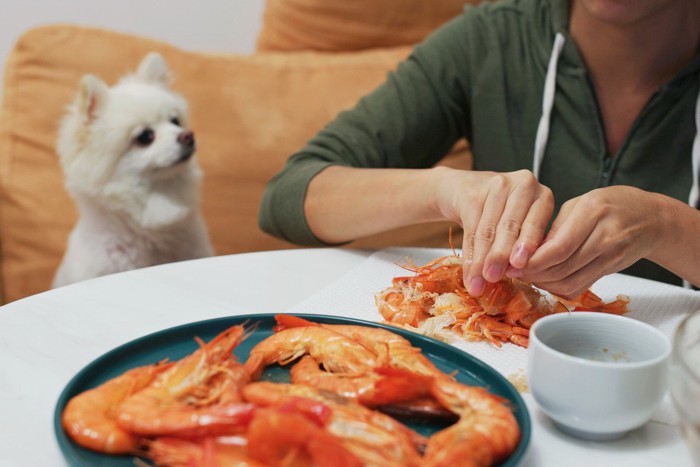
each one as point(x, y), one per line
point(203, 25)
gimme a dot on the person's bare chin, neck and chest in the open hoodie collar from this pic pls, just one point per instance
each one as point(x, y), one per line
point(630, 49)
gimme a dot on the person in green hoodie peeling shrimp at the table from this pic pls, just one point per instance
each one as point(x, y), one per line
point(585, 110)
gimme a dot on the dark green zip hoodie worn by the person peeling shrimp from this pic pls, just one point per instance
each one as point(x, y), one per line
point(481, 77)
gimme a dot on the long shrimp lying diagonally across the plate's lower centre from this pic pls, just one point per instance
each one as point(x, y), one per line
point(372, 437)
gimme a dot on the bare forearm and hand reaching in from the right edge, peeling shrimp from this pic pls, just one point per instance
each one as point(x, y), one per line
point(607, 230)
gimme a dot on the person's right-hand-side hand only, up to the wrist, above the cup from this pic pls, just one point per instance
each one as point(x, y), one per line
point(598, 233)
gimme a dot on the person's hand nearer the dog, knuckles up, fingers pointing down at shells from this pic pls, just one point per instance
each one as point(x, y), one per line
point(504, 217)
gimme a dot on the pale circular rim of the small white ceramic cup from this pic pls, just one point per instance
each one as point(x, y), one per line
point(668, 345)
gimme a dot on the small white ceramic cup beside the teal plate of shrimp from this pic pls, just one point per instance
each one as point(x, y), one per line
point(597, 375)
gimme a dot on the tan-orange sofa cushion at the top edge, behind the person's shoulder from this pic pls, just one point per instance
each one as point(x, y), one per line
point(336, 25)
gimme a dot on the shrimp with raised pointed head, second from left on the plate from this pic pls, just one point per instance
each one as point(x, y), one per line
point(198, 395)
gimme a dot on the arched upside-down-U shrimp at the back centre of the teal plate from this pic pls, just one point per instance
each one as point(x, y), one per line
point(337, 353)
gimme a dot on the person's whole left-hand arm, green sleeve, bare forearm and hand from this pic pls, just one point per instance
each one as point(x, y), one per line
point(369, 169)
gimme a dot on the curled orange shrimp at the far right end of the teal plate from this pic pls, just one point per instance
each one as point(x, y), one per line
point(485, 434)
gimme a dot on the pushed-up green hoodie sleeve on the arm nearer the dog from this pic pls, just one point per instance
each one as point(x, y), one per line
point(411, 121)
